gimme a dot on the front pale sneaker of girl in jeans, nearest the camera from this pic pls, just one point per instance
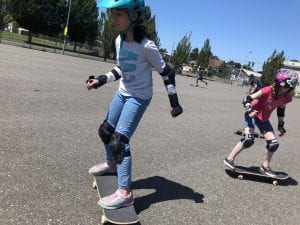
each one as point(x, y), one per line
point(116, 200)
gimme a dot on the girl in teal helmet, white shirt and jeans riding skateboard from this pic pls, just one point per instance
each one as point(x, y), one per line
point(136, 55)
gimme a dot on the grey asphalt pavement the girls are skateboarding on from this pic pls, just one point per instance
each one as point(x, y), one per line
point(49, 139)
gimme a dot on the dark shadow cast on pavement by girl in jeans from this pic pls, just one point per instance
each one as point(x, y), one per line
point(166, 190)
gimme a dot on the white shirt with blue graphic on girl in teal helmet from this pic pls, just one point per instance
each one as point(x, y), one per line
point(136, 62)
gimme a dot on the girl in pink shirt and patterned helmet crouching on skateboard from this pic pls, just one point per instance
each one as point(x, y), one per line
point(259, 106)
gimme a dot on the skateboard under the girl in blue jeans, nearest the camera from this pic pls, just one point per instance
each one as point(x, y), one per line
point(106, 185)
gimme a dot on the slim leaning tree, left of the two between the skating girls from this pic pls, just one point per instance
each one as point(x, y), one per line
point(182, 52)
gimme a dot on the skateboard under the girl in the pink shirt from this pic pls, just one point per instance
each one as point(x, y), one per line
point(244, 172)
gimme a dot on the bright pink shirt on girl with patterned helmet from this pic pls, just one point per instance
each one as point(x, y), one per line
point(266, 103)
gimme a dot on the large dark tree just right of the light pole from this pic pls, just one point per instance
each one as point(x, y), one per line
point(83, 23)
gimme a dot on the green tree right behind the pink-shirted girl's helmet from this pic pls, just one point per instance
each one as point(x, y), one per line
point(274, 63)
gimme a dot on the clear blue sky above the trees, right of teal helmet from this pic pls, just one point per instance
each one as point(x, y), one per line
point(239, 30)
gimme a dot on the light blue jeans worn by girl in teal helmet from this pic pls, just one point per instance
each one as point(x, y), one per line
point(124, 114)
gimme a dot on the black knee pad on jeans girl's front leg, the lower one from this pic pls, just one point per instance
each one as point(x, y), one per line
point(117, 146)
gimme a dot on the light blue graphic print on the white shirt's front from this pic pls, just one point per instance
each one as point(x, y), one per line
point(127, 61)
